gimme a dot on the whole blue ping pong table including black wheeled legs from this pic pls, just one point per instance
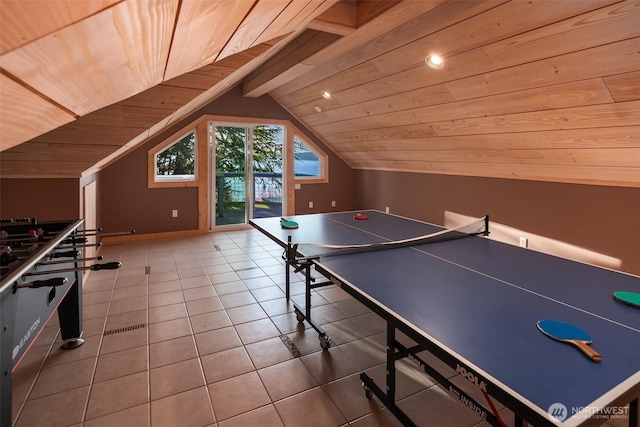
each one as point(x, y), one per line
point(474, 303)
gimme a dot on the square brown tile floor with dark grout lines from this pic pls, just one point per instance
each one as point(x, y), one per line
point(198, 341)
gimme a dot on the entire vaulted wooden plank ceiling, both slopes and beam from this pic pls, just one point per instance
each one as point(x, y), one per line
point(538, 90)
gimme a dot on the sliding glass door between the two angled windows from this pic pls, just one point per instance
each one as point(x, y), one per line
point(248, 173)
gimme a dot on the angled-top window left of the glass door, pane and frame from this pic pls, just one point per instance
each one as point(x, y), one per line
point(174, 161)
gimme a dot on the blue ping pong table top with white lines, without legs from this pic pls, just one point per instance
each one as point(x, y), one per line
point(479, 300)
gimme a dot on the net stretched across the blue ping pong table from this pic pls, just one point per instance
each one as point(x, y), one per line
point(479, 226)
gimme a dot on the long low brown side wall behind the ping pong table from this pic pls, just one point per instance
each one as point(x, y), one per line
point(595, 224)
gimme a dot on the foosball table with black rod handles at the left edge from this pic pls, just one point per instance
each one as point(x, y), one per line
point(41, 273)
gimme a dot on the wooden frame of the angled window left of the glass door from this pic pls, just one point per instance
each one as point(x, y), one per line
point(153, 180)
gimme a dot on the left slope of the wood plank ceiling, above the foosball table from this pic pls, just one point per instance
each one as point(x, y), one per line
point(80, 81)
